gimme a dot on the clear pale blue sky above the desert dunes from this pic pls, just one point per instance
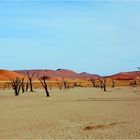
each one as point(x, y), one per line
point(94, 36)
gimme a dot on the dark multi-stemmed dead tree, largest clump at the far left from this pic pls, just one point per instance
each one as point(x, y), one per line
point(16, 85)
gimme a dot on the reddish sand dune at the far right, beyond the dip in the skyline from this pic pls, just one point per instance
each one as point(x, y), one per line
point(125, 75)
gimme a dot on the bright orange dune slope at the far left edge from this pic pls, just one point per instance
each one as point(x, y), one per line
point(7, 74)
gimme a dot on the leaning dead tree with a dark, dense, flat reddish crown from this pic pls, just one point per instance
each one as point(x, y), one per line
point(44, 84)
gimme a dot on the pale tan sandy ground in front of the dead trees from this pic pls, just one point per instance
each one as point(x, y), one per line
point(81, 113)
